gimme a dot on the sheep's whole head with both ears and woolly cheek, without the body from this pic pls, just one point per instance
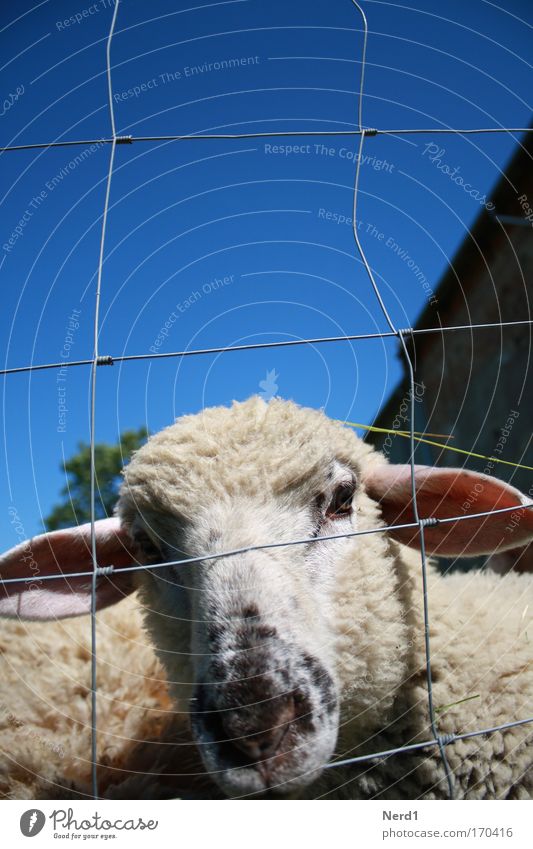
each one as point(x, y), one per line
point(270, 648)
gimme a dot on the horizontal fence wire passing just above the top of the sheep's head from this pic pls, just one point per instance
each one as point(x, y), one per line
point(110, 359)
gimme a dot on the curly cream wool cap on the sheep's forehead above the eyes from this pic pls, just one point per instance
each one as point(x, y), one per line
point(251, 449)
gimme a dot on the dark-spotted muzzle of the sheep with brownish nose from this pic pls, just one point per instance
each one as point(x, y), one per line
point(265, 713)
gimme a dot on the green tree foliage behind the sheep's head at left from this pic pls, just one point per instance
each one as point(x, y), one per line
point(75, 507)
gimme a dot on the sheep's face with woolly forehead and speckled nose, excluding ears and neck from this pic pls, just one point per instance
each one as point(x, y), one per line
point(251, 638)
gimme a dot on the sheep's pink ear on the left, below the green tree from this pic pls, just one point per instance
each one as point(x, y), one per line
point(58, 553)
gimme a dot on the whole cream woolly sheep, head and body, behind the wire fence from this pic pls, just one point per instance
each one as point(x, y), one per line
point(245, 675)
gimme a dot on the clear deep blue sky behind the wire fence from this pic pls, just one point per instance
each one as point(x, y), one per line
point(240, 241)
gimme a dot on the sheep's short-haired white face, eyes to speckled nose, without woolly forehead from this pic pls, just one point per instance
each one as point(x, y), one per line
point(264, 690)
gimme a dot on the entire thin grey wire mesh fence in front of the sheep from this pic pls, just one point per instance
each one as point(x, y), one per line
point(97, 360)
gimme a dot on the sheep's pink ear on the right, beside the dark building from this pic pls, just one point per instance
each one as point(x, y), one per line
point(444, 493)
